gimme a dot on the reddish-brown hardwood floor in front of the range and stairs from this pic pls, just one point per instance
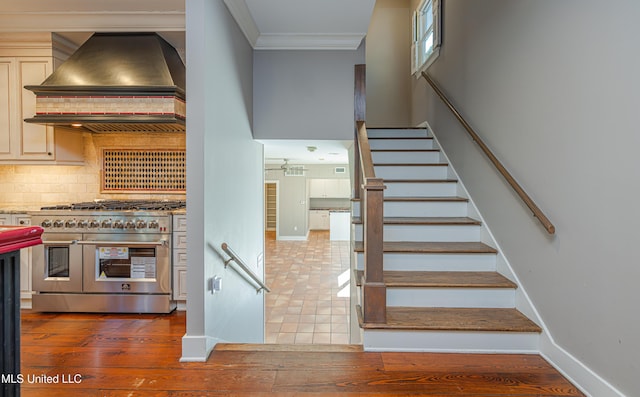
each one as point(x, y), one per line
point(138, 355)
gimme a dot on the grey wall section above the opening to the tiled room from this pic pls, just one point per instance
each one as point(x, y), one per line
point(304, 94)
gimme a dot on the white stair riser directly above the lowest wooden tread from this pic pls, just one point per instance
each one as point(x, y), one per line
point(451, 297)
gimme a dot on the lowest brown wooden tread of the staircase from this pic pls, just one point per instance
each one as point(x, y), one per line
point(454, 319)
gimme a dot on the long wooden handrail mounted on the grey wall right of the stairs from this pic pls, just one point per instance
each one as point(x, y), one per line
point(537, 212)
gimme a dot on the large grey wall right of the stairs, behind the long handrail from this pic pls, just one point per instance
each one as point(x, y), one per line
point(553, 88)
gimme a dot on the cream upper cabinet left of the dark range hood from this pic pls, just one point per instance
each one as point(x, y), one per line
point(22, 63)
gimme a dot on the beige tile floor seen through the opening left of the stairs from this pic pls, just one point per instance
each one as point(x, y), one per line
point(309, 281)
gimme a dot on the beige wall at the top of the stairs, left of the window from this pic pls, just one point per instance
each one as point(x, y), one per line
point(388, 57)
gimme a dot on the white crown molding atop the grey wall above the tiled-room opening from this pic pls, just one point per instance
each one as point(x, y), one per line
point(309, 41)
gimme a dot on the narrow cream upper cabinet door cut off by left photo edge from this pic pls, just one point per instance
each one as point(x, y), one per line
point(7, 101)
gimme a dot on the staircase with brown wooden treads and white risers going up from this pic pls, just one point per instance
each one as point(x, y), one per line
point(443, 290)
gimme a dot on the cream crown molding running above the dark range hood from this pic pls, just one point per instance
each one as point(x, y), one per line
point(64, 21)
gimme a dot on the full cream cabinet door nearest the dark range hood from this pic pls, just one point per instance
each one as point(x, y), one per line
point(36, 140)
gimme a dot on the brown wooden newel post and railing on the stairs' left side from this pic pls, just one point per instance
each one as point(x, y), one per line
point(370, 190)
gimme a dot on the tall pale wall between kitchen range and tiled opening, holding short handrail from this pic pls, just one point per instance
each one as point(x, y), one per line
point(224, 181)
